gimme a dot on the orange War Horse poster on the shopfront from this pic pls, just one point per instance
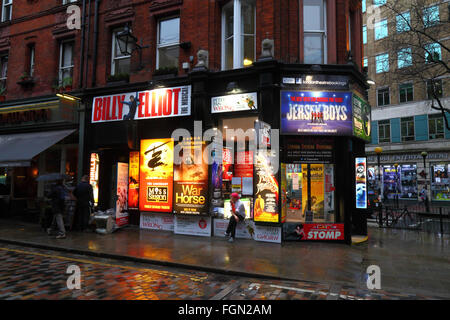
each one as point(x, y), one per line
point(191, 179)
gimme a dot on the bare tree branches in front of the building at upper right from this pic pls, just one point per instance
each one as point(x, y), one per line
point(418, 41)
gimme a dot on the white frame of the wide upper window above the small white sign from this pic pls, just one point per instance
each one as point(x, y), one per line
point(238, 33)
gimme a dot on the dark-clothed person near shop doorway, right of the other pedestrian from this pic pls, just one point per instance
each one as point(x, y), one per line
point(84, 194)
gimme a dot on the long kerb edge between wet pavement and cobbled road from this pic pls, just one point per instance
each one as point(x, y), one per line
point(148, 261)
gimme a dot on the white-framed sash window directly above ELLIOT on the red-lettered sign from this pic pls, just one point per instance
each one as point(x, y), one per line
point(168, 43)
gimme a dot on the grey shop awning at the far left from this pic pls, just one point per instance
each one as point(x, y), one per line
point(17, 150)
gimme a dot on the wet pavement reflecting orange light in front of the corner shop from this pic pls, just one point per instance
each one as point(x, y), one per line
point(412, 264)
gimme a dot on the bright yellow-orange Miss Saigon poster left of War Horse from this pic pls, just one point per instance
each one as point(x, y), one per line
point(156, 176)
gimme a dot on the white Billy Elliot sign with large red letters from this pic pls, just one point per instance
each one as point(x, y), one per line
point(153, 104)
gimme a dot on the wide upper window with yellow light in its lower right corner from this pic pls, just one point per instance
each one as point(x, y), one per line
point(238, 34)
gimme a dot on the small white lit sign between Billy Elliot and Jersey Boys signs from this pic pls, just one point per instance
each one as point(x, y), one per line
point(235, 102)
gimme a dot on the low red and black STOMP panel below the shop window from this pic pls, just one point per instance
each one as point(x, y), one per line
point(313, 231)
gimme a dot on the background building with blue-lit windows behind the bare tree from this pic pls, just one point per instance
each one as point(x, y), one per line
point(406, 53)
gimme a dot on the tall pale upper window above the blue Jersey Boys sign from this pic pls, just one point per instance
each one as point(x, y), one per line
point(314, 31)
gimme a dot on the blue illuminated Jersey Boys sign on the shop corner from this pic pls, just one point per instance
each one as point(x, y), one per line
point(316, 112)
